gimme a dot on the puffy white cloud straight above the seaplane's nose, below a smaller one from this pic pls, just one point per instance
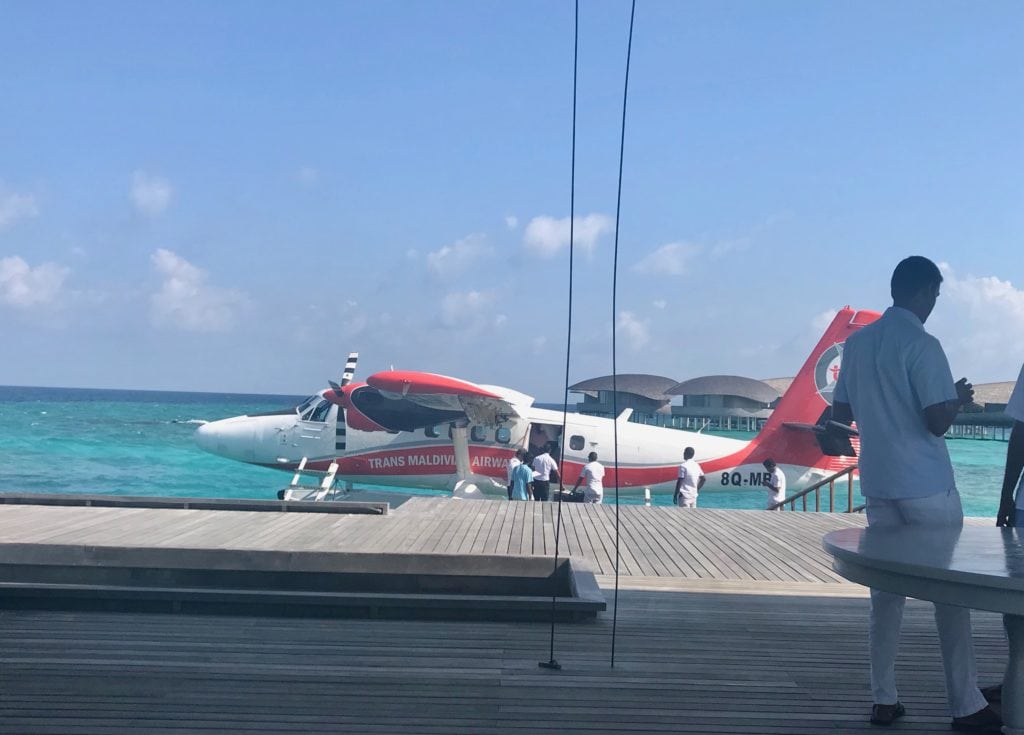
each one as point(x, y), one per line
point(188, 302)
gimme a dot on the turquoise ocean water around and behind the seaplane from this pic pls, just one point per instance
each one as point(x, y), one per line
point(129, 443)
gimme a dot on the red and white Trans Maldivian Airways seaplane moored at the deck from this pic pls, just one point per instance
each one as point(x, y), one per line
point(425, 430)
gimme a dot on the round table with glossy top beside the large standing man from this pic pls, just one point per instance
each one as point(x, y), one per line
point(982, 568)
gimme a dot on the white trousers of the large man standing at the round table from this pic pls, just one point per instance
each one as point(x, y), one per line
point(954, 624)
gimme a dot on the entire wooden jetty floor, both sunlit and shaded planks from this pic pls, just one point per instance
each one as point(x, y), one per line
point(729, 622)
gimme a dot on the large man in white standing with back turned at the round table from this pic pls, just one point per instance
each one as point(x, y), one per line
point(895, 382)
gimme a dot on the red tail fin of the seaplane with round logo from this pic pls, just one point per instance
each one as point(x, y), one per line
point(800, 430)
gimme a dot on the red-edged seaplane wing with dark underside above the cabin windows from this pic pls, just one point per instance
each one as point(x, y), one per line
point(407, 401)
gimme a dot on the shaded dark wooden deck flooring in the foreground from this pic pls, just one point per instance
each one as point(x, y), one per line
point(687, 663)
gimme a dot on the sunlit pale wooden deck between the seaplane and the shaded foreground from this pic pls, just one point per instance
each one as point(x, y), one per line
point(654, 542)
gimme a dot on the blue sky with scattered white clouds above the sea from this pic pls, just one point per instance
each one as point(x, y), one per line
point(233, 196)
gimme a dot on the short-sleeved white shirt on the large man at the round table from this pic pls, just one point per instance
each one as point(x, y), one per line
point(892, 370)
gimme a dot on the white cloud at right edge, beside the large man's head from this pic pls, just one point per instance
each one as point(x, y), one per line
point(982, 323)
